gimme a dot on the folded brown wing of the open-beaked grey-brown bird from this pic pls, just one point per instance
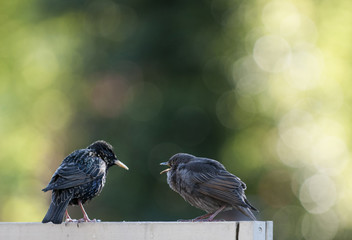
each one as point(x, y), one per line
point(214, 181)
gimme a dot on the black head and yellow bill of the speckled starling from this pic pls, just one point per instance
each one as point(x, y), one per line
point(105, 151)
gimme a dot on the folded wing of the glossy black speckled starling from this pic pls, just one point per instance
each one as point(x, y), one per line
point(78, 168)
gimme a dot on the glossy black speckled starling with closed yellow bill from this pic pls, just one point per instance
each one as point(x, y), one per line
point(80, 177)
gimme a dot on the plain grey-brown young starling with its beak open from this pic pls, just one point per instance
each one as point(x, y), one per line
point(206, 184)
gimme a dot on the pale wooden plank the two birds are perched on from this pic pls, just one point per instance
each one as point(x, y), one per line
point(136, 230)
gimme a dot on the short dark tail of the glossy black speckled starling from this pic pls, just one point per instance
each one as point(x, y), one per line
point(57, 208)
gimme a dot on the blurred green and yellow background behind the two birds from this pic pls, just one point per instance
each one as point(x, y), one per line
point(262, 86)
